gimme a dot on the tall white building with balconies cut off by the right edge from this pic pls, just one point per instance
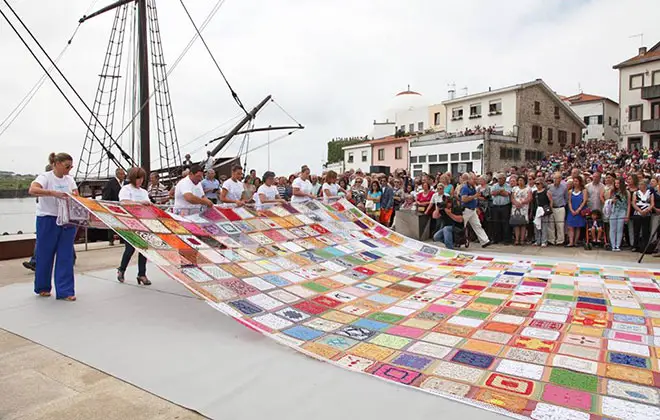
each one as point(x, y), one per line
point(639, 99)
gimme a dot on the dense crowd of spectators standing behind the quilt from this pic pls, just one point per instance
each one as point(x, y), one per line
point(593, 194)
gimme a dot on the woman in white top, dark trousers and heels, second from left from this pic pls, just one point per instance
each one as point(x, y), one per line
point(133, 193)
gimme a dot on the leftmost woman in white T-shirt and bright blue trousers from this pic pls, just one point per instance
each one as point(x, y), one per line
point(54, 240)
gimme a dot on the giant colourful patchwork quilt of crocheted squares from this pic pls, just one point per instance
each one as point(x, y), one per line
point(523, 338)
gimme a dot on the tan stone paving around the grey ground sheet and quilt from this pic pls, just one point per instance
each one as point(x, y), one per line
point(38, 383)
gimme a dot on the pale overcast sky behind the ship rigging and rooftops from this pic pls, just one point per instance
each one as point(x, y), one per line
point(334, 65)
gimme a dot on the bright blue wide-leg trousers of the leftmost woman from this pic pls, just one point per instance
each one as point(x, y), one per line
point(52, 241)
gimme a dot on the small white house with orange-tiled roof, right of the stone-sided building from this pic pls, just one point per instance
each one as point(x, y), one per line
point(600, 114)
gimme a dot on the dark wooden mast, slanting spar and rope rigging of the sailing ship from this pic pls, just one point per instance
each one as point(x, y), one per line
point(134, 60)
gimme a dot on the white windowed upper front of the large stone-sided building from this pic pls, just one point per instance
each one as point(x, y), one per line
point(493, 108)
